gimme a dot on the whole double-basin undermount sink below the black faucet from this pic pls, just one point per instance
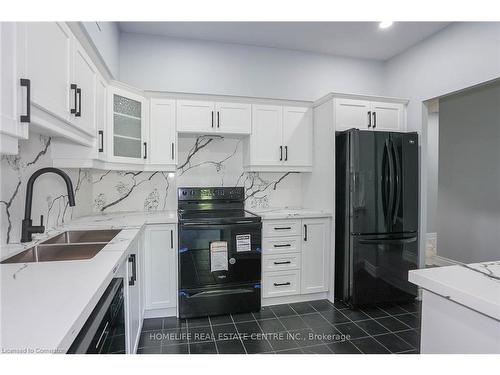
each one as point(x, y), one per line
point(70, 245)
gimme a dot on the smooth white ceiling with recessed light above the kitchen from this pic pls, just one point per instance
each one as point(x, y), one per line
point(354, 39)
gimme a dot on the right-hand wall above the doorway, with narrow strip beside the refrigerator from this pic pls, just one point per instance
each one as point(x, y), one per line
point(459, 56)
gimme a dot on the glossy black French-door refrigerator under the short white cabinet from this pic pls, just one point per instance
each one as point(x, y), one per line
point(376, 236)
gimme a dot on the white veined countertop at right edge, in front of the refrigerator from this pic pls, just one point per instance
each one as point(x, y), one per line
point(476, 286)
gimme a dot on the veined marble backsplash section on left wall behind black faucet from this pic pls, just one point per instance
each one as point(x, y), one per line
point(50, 197)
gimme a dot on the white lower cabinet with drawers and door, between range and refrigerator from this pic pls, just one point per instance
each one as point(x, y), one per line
point(296, 256)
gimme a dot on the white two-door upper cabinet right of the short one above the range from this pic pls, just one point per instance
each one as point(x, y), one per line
point(281, 139)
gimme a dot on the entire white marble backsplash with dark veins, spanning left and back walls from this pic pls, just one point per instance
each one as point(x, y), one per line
point(202, 161)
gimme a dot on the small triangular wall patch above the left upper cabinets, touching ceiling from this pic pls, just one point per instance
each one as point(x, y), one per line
point(106, 39)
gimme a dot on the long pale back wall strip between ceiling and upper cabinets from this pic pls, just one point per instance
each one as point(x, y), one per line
point(180, 65)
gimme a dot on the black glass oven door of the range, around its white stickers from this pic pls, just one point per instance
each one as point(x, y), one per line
point(195, 261)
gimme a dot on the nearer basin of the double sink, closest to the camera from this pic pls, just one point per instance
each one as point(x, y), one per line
point(57, 252)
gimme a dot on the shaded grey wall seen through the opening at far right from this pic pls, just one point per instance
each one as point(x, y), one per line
point(469, 175)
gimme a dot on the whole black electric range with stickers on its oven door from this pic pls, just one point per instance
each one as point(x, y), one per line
point(219, 252)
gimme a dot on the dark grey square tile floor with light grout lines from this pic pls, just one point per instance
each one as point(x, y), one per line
point(316, 327)
